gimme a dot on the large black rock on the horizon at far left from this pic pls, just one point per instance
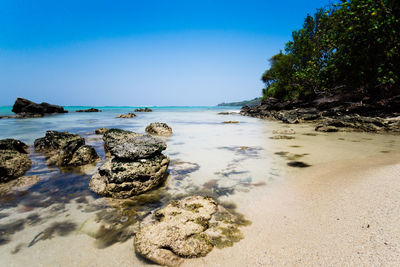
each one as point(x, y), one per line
point(25, 108)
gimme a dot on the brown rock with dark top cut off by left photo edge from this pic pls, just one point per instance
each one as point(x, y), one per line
point(14, 160)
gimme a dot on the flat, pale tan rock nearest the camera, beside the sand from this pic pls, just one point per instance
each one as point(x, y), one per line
point(187, 228)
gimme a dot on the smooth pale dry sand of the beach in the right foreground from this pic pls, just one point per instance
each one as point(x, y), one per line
point(344, 213)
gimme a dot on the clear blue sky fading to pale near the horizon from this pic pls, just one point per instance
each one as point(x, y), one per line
point(160, 52)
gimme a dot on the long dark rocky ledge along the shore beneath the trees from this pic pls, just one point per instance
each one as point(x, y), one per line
point(333, 114)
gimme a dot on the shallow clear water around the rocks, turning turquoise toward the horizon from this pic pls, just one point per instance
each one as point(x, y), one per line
point(50, 223)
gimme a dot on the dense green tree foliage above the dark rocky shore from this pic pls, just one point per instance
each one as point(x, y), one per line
point(352, 47)
